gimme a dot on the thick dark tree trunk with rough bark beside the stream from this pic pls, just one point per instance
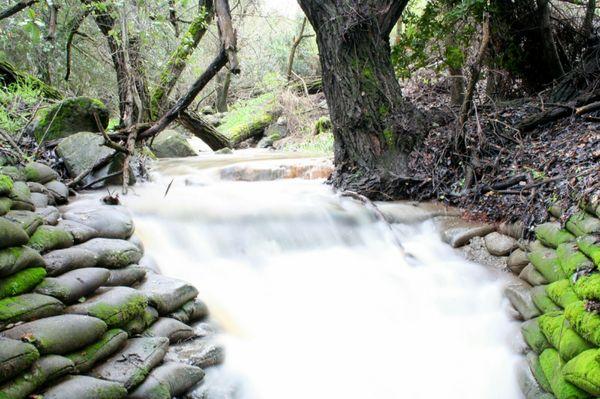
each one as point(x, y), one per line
point(374, 127)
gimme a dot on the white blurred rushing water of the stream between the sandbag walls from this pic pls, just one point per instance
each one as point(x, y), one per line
point(315, 299)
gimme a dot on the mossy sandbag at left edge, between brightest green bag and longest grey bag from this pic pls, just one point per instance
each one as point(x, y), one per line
point(28, 307)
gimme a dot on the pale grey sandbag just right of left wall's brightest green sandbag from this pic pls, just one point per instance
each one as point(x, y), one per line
point(73, 285)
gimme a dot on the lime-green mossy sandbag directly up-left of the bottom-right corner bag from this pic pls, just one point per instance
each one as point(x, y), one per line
point(568, 343)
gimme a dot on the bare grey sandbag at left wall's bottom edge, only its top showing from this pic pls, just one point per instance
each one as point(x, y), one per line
point(79, 387)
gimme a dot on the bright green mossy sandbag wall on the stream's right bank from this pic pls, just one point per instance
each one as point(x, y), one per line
point(558, 297)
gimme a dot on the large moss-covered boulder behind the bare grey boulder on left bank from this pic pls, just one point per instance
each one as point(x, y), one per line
point(67, 117)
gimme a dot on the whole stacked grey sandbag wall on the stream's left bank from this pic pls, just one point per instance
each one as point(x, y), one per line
point(83, 313)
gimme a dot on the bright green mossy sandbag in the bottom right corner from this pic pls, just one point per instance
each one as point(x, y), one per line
point(583, 371)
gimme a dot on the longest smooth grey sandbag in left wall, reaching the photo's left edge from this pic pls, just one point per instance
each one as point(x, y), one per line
point(59, 334)
